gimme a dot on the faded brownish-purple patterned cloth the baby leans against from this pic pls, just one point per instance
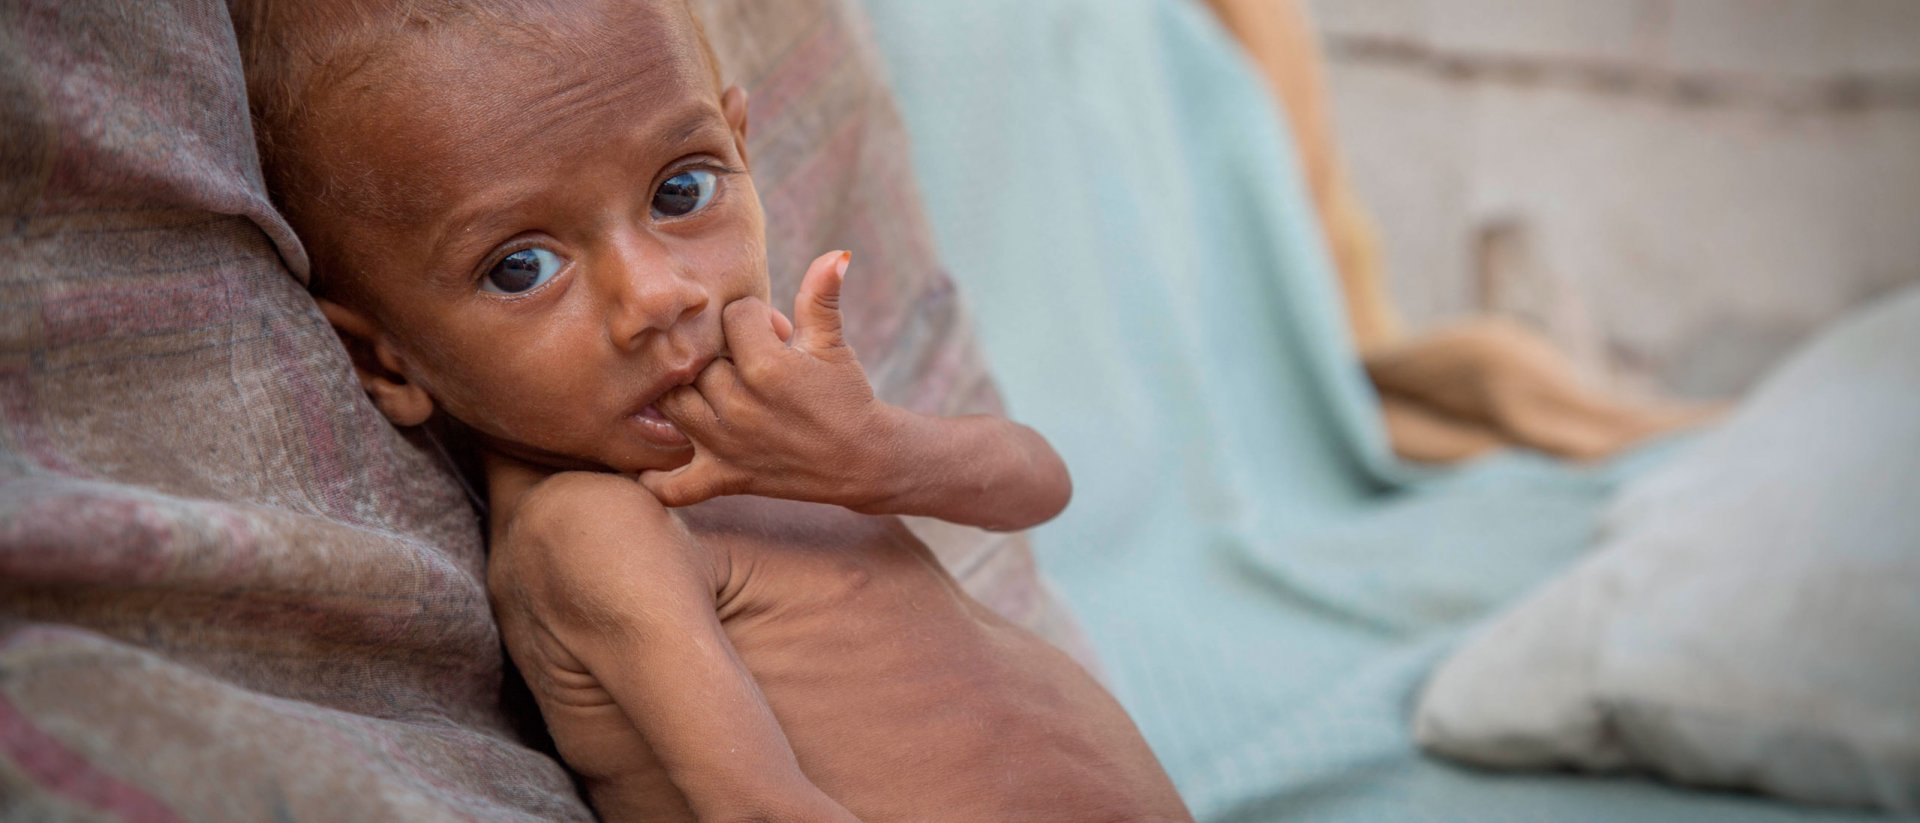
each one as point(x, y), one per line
point(229, 590)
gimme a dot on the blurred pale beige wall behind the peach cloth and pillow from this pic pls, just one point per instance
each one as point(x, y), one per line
point(1675, 191)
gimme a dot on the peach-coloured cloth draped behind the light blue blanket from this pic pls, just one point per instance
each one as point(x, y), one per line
point(1451, 394)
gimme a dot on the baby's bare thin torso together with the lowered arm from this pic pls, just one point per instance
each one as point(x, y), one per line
point(777, 661)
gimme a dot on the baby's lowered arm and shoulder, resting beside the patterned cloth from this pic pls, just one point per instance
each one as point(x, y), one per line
point(604, 596)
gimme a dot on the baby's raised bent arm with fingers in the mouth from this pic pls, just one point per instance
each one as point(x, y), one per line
point(798, 419)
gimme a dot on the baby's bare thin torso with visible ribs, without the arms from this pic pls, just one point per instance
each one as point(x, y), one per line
point(903, 697)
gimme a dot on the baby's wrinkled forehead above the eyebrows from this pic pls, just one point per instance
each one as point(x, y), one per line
point(441, 105)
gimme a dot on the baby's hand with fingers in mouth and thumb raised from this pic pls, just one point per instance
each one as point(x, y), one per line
point(788, 419)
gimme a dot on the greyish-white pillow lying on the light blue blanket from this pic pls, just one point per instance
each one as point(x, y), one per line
point(1752, 617)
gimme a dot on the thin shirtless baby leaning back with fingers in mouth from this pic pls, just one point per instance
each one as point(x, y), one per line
point(533, 225)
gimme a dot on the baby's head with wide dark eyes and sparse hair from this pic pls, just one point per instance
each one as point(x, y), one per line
point(523, 214)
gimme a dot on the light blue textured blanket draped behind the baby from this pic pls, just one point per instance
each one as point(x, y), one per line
point(1266, 584)
